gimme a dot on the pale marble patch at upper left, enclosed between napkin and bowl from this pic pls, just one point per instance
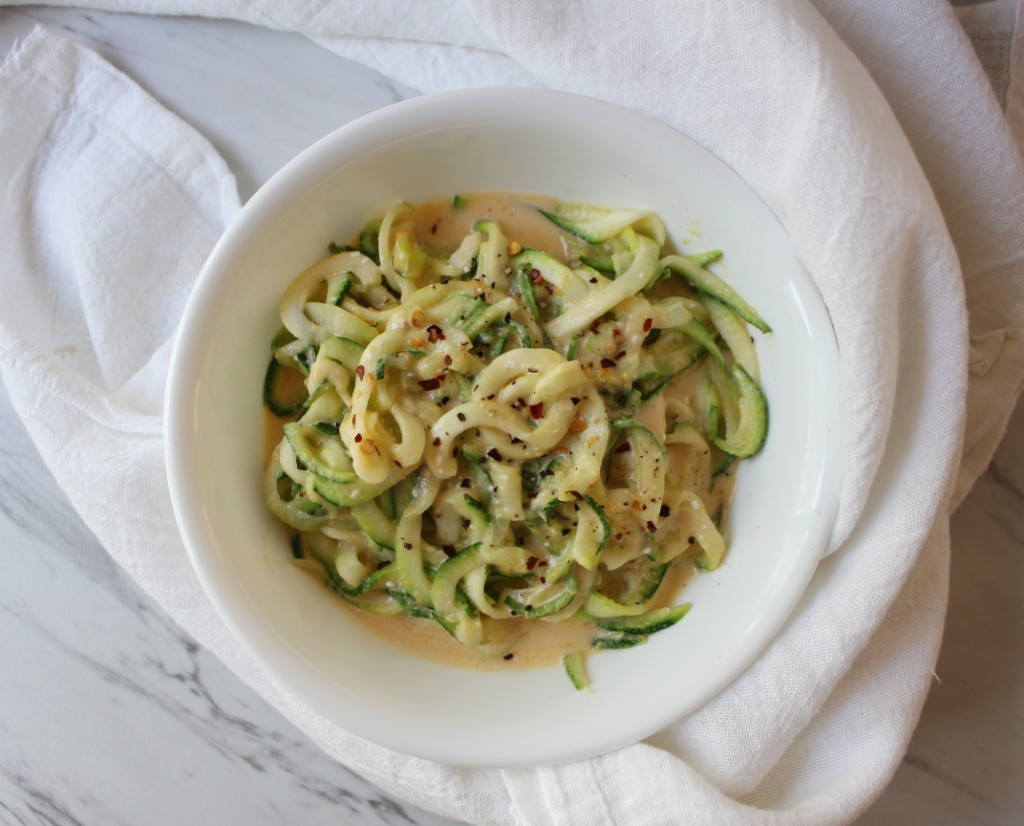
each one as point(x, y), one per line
point(261, 97)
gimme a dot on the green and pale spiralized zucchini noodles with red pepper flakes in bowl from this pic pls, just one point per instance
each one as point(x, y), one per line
point(491, 436)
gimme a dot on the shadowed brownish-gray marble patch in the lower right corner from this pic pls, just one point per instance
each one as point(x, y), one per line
point(964, 765)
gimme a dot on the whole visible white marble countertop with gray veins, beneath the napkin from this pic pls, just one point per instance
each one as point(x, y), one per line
point(111, 715)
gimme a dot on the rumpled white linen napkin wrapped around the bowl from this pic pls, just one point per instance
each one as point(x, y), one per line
point(884, 211)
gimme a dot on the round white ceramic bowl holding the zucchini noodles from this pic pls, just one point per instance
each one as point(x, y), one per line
point(517, 141)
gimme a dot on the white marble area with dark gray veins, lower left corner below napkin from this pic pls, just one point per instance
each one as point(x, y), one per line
point(111, 715)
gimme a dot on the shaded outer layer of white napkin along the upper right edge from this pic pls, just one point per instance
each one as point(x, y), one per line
point(973, 162)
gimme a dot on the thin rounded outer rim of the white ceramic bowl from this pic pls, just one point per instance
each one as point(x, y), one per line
point(290, 183)
